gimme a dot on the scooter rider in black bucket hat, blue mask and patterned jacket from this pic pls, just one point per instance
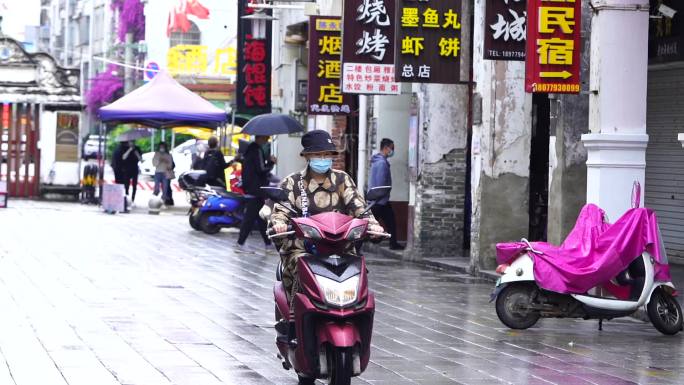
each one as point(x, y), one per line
point(314, 190)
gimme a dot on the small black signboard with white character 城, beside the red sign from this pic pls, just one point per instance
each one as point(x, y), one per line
point(505, 29)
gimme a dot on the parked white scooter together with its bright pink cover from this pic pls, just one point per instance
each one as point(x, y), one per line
point(541, 280)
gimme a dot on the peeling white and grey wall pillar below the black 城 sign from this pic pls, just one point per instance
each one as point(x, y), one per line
point(500, 152)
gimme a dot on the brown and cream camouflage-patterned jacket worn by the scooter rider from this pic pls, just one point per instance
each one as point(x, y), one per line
point(337, 193)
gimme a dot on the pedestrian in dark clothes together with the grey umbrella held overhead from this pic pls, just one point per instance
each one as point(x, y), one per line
point(257, 164)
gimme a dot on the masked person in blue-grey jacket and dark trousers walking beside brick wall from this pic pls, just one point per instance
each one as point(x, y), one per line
point(380, 175)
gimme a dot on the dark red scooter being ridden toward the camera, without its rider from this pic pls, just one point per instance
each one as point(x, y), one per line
point(330, 335)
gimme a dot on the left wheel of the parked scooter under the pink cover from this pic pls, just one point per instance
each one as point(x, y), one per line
point(512, 306)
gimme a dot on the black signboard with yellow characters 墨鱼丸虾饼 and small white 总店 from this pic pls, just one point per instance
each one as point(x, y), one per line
point(429, 41)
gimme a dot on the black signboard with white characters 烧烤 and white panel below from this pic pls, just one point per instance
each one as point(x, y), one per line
point(368, 48)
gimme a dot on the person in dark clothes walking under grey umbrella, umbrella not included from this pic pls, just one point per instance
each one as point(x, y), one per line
point(257, 164)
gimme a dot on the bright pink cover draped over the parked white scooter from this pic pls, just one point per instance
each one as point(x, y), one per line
point(594, 252)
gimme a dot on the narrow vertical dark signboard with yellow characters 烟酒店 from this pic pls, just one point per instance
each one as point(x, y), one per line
point(325, 47)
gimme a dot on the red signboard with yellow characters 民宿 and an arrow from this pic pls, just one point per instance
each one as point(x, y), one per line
point(552, 63)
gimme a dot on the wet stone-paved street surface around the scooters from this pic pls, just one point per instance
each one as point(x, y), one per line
point(88, 298)
